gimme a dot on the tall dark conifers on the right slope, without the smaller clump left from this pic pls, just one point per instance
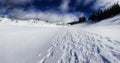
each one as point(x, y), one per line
point(107, 13)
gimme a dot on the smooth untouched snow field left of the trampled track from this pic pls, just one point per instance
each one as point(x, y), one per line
point(21, 44)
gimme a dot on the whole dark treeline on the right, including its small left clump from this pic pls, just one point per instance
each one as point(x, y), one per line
point(100, 15)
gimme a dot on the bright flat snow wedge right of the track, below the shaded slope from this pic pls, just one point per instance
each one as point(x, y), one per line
point(109, 31)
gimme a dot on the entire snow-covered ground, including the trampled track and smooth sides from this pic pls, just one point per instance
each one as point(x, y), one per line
point(33, 41)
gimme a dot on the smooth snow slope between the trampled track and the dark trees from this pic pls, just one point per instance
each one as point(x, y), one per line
point(108, 27)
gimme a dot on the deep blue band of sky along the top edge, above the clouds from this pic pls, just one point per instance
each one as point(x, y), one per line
point(43, 5)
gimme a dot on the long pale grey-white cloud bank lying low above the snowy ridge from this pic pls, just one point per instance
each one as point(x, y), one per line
point(46, 16)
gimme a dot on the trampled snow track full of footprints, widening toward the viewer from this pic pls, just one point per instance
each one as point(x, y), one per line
point(76, 46)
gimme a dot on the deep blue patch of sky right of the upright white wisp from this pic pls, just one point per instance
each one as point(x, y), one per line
point(82, 6)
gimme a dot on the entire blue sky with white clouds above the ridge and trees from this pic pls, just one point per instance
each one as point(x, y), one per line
point(51, 10)
